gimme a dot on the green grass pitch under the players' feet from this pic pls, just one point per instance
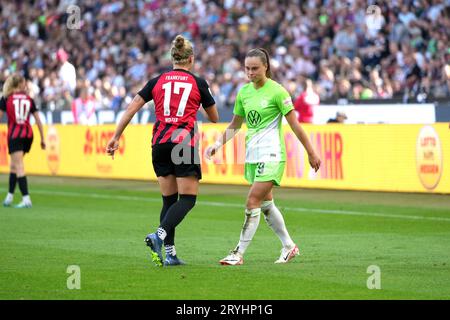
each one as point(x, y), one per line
point(100, 225)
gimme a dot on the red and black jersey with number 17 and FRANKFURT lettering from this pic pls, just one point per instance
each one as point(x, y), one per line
point(178, 95)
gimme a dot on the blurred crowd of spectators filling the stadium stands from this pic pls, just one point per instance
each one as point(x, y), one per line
point(350, 49)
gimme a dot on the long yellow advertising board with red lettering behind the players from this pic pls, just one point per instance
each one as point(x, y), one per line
point(378, 157)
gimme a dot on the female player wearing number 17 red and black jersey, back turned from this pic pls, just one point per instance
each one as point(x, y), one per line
point(178, 95)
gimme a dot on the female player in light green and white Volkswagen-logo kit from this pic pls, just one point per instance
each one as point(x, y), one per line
point(262, 103)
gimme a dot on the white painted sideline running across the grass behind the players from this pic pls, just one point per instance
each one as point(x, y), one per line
point(235, 205)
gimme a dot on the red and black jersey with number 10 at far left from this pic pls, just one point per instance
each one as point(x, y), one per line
point(18, 107)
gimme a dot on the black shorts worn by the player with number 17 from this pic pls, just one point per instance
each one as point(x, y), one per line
point(177, 159)
